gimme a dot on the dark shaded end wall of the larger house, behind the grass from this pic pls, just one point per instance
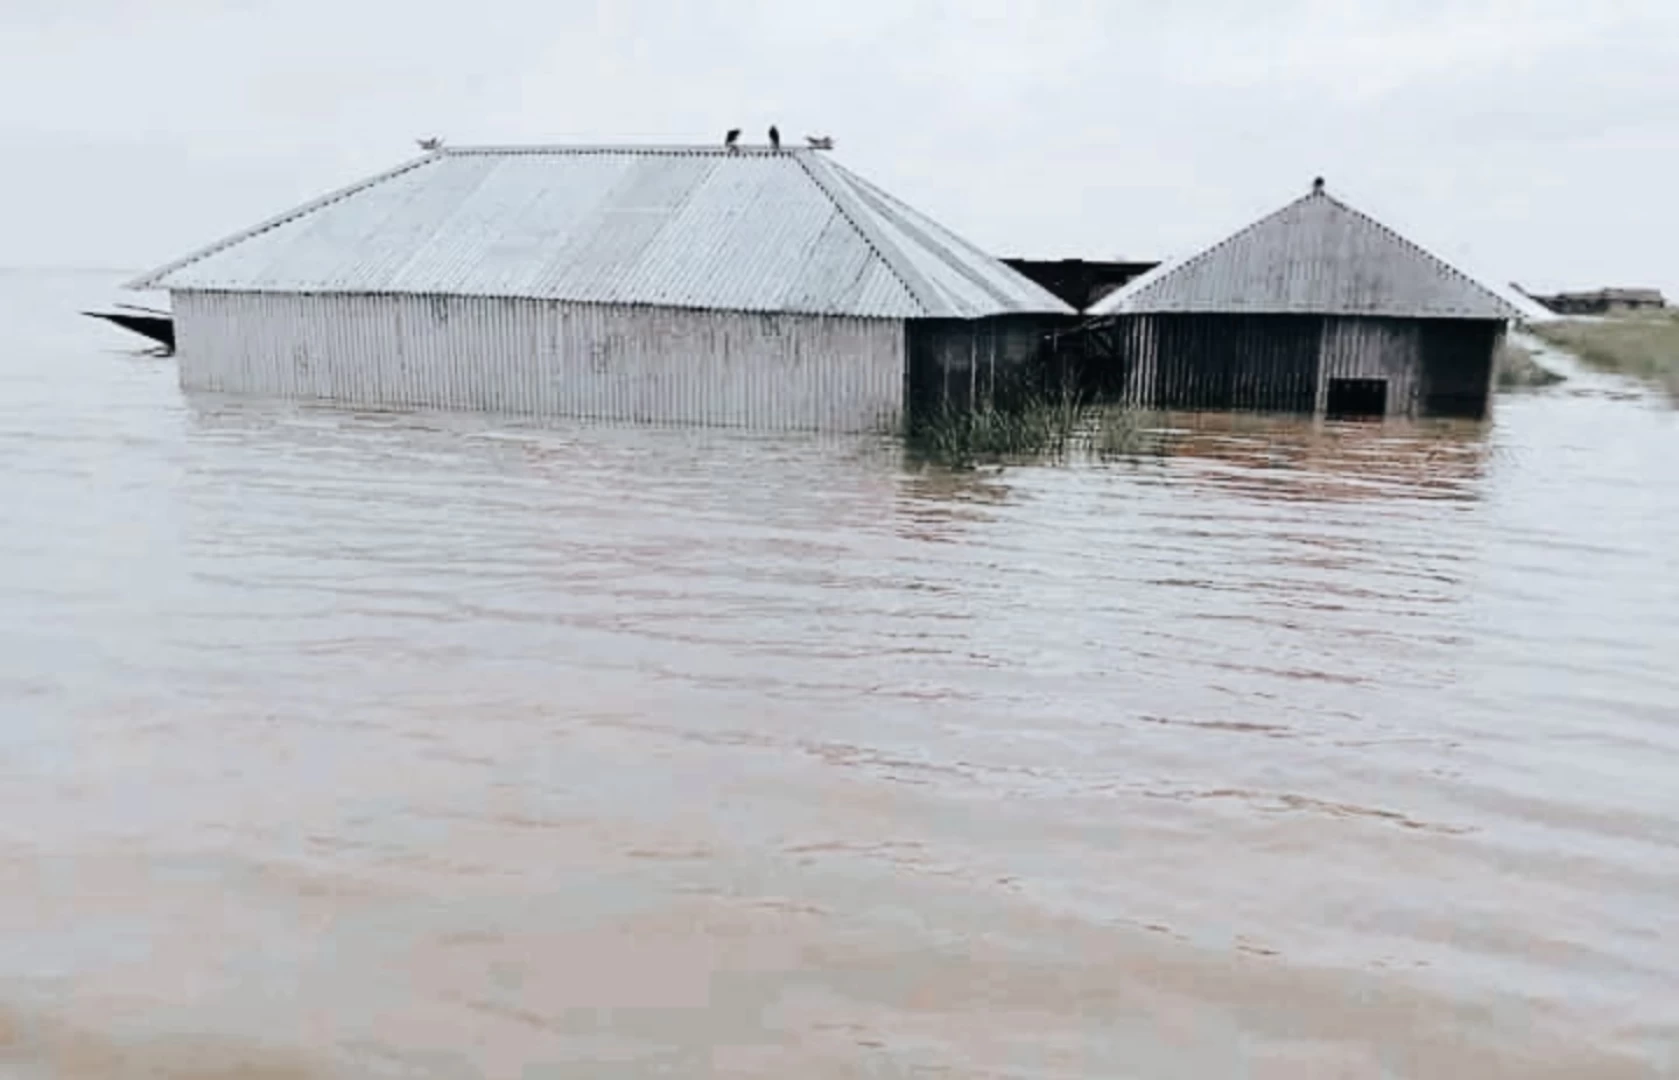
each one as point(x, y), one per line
point(961, 364)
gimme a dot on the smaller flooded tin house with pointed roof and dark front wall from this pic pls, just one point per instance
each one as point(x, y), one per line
point(1314, 310)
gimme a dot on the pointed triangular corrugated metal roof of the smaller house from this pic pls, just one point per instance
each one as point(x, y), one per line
point(1315, 256)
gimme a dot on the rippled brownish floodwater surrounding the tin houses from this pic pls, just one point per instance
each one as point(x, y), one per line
point(345, 745)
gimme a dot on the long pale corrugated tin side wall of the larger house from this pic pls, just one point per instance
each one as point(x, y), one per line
point(651, 365)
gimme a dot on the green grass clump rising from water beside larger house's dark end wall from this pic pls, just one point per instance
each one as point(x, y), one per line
point(1032, 427)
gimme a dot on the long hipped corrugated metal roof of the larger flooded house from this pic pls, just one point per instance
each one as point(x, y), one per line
point(683, 228)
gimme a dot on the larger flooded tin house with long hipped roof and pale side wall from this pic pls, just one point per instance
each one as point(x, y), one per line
point(672, 285)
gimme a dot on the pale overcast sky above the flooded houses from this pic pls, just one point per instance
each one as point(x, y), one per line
point(1524, 139)
